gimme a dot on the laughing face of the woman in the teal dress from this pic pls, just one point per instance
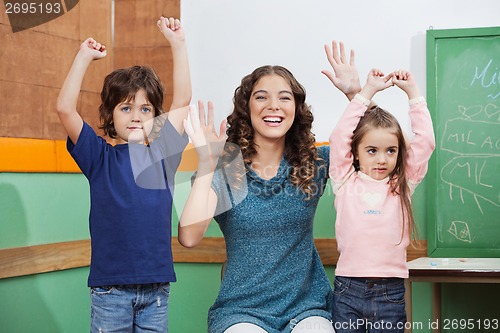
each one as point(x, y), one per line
point(272, 108)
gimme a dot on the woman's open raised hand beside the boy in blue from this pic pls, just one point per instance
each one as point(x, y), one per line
point(208, 144)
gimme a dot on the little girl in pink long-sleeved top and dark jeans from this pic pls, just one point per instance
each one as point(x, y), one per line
point(374, 172)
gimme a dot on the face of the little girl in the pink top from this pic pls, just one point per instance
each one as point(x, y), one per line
point(377, 153)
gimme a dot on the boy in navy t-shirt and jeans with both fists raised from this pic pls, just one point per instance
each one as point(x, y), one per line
point(130, 224)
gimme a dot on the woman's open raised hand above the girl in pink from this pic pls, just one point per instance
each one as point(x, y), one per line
point(346, 77)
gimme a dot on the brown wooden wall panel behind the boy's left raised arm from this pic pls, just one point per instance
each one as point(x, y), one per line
point(35, 61)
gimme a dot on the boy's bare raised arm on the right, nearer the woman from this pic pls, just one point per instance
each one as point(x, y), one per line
point(174, 33)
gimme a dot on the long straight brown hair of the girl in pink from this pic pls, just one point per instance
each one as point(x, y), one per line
point(375, 118)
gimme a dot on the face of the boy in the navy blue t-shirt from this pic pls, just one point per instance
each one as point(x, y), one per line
point(131, 118)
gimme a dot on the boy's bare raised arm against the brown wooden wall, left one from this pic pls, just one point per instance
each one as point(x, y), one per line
point(68, 96)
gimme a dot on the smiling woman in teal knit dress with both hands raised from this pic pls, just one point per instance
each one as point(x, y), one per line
point(274, 280)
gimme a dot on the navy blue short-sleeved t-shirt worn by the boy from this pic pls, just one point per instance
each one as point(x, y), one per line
point(131, 188)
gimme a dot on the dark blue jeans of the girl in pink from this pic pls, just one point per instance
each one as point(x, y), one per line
point(368, 305)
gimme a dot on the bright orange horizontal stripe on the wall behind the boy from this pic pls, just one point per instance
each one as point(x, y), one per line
point(35, 155)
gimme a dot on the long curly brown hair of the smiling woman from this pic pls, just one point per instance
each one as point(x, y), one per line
point(300, 150)
